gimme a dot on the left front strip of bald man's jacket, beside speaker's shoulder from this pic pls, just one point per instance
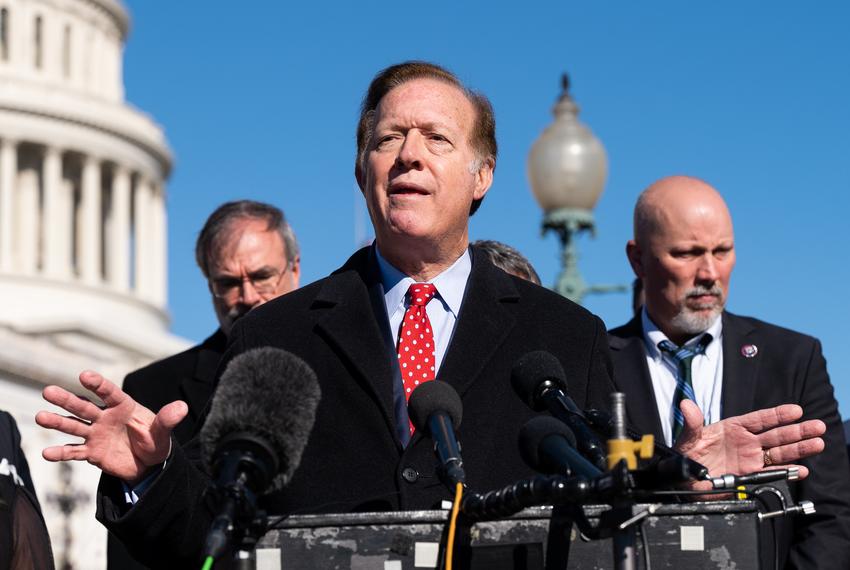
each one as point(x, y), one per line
point(631, 376)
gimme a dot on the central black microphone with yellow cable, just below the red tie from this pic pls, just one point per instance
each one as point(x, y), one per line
point(435, 408)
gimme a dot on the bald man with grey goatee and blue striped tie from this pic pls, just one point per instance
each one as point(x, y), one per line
point(686, 363)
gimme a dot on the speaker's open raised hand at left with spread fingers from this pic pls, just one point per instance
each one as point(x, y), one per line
point(123, 439)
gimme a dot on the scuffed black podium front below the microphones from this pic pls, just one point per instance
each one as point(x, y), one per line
point(719, 534)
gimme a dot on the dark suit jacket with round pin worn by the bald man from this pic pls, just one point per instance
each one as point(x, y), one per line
point(788, 368)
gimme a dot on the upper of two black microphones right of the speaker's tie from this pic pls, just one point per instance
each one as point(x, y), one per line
point(539, 380)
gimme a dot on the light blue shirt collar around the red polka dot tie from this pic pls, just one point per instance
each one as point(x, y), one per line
point(450, 284)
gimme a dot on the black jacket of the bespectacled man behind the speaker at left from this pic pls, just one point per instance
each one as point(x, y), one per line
point(188, 376)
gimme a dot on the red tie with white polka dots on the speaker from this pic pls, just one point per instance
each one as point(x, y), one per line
point(416, 340)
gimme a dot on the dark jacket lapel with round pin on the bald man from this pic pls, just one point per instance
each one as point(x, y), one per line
point(739, 371)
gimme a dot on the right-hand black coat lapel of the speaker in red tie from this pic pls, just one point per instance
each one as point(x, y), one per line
point(483, 324)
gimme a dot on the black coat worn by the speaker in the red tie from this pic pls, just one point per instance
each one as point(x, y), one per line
point(354, 460)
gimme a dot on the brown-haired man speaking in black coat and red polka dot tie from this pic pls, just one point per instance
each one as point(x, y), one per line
point(417, 306)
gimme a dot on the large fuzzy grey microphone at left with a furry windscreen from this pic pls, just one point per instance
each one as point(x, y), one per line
point(260, 418)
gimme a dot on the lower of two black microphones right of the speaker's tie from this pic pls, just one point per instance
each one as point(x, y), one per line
point(548, 446)
